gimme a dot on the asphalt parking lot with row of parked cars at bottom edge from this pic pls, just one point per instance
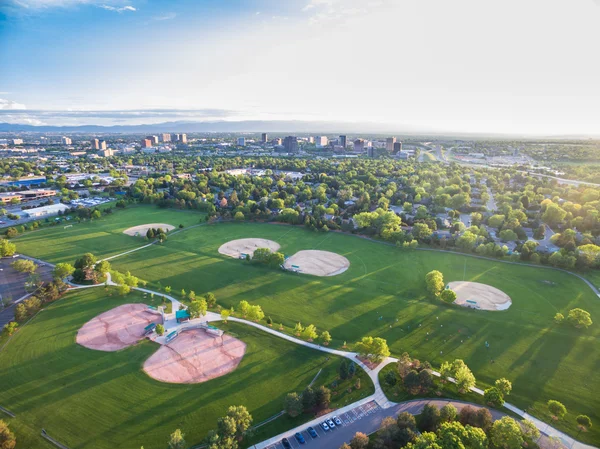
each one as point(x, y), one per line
point(335, 437)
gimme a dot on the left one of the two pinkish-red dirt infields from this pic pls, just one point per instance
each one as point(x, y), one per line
point(118, 328)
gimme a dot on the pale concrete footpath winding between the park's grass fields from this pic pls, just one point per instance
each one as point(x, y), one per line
point(379, 396)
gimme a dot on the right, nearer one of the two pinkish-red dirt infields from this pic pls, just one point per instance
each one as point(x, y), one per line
point(195, 356)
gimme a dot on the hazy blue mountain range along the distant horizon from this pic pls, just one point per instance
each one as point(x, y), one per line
point(268, 126)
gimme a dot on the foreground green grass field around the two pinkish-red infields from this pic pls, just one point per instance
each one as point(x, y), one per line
point(93, 399)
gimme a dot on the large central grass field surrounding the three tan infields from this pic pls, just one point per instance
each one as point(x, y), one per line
point(383, 293)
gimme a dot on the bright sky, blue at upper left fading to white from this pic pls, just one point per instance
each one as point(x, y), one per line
point(512, 66)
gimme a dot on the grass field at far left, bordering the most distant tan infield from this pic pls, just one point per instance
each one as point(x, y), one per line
point(103, 237)
